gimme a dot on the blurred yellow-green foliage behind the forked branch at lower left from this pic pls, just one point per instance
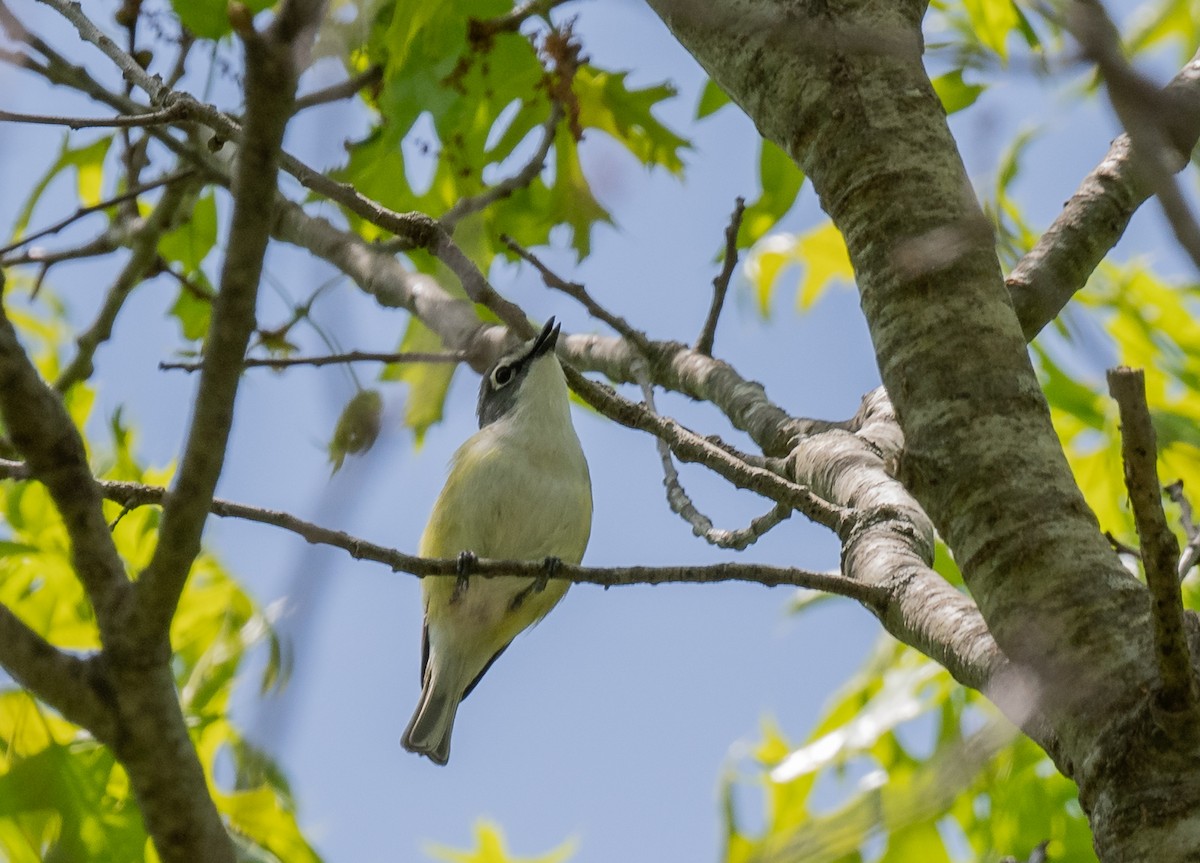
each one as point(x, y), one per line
point(63, 796)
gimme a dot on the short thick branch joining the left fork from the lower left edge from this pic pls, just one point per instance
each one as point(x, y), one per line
point(71, 686)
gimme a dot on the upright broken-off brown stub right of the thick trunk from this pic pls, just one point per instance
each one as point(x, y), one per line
point(1160, 553)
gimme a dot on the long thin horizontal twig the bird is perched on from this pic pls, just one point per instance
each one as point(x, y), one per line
point(134, 495)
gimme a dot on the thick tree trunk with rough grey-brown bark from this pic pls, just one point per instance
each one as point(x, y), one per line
point(842, 88)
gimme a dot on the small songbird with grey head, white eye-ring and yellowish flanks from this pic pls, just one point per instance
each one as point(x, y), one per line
point(518, 490)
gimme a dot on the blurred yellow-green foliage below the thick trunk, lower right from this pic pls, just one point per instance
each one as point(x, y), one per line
point(905, 765)
